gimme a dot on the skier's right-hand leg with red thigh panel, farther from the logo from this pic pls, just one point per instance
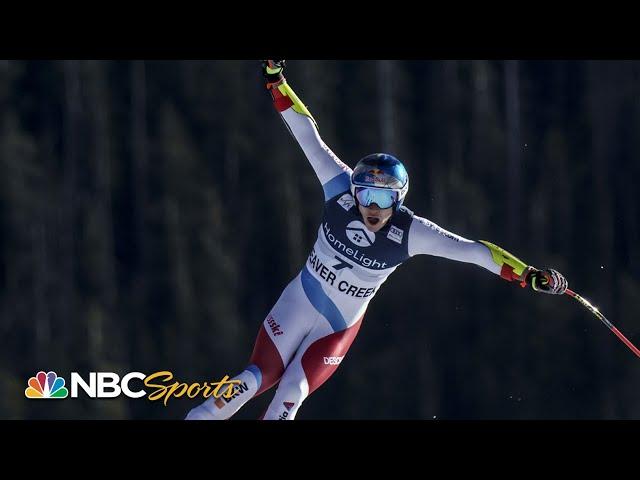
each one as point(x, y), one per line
point(315, 361)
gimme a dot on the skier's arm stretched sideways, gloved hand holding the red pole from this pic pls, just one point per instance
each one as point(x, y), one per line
point(425, 237)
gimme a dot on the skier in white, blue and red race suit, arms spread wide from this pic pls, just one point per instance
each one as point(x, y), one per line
point(366, 232)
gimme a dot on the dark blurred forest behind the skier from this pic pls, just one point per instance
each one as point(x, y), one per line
point(151, 212)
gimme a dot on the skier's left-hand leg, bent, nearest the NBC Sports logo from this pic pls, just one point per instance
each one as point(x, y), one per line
point(279, 337)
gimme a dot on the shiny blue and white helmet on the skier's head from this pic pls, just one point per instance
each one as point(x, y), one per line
point(381, 171)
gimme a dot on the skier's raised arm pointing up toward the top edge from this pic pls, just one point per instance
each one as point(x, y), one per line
point(332, 173)
